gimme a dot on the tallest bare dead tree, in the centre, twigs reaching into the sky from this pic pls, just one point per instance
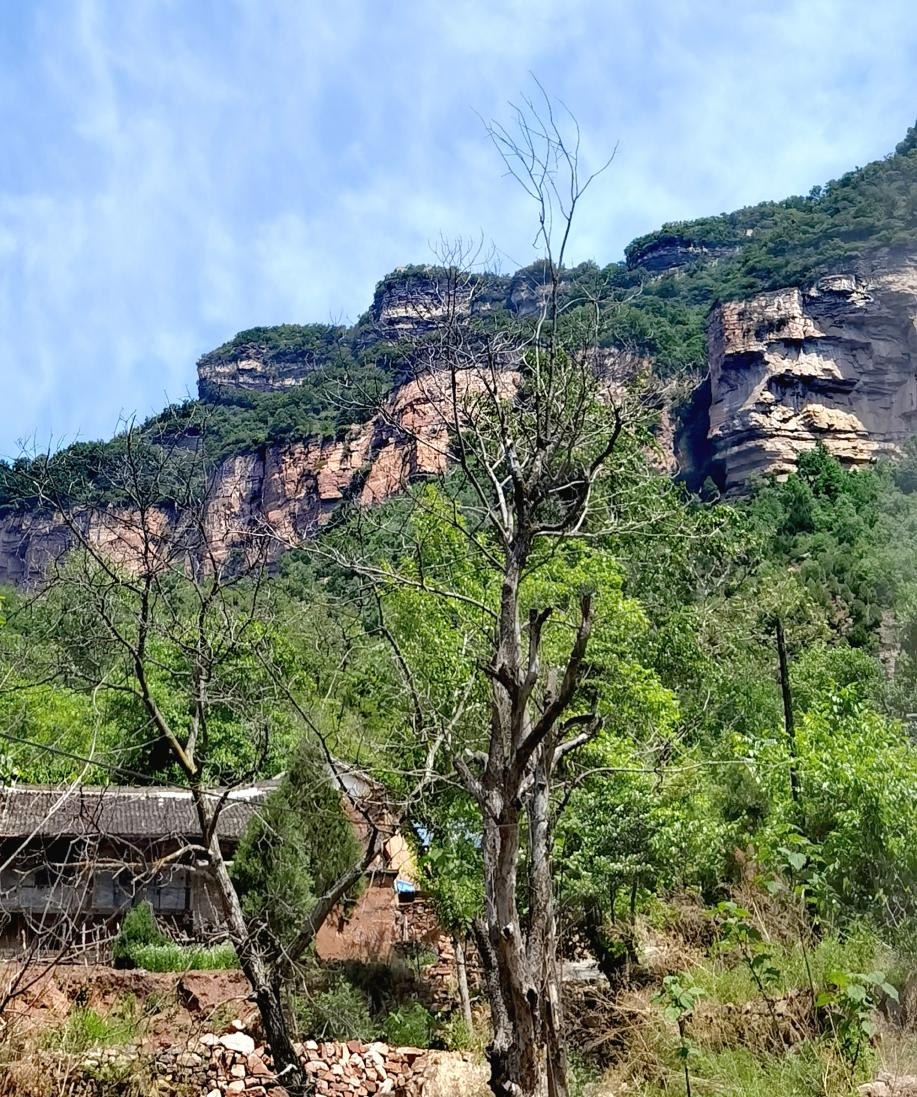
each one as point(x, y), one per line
point(542, 421)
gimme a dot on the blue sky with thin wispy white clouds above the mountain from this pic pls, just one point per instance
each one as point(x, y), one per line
point(173, 172)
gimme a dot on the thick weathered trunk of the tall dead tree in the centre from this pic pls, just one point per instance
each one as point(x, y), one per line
point(527, 1054)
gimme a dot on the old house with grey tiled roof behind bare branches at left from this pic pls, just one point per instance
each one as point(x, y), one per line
point(73, 859)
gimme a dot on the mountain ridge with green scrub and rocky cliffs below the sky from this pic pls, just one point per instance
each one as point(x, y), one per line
point(732, 300)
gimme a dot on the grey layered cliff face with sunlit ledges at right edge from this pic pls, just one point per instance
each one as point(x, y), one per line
point(834, 364)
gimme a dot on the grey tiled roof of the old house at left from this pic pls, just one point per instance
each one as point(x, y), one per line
point(118, 812)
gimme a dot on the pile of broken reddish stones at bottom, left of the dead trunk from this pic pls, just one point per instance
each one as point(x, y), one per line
point(234, 1064)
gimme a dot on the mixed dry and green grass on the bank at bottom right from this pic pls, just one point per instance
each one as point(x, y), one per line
point(738, 1046)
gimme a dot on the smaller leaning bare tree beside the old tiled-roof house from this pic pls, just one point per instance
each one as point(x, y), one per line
point(156, 601)
